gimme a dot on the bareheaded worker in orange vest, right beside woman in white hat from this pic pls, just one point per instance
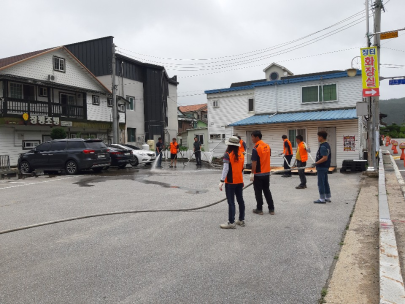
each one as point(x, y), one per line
point(260, 175)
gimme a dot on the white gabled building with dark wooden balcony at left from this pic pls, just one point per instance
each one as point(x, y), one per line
point(44, 89)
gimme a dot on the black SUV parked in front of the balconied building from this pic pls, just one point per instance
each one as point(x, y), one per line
point(71, 155)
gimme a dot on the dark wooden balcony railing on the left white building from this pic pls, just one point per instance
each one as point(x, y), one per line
point(16, 107)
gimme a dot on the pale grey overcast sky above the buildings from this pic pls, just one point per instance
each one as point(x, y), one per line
point(191, 29)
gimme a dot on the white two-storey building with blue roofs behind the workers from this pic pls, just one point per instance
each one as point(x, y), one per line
point(289, 104)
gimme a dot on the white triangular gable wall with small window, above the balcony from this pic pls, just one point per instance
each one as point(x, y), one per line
point(42, 66)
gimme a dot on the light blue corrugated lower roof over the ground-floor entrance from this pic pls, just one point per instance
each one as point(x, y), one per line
point(345, 114)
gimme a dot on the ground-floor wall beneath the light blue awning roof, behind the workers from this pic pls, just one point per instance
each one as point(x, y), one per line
point(272, 135)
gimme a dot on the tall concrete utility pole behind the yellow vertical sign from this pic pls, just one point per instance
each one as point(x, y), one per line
point(376, 106)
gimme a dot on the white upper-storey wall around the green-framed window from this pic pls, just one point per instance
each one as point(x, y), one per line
point(289, 96)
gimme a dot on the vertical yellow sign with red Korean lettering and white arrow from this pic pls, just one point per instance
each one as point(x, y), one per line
point(369, 74)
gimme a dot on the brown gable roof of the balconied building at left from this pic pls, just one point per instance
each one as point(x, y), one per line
point(14, 60)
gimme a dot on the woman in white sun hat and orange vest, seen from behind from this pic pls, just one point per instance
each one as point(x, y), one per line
point(232, 176)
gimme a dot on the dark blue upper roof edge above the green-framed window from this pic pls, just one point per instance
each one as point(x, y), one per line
point(284, 81)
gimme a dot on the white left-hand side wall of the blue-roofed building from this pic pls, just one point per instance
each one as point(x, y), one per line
point(233, 106)
